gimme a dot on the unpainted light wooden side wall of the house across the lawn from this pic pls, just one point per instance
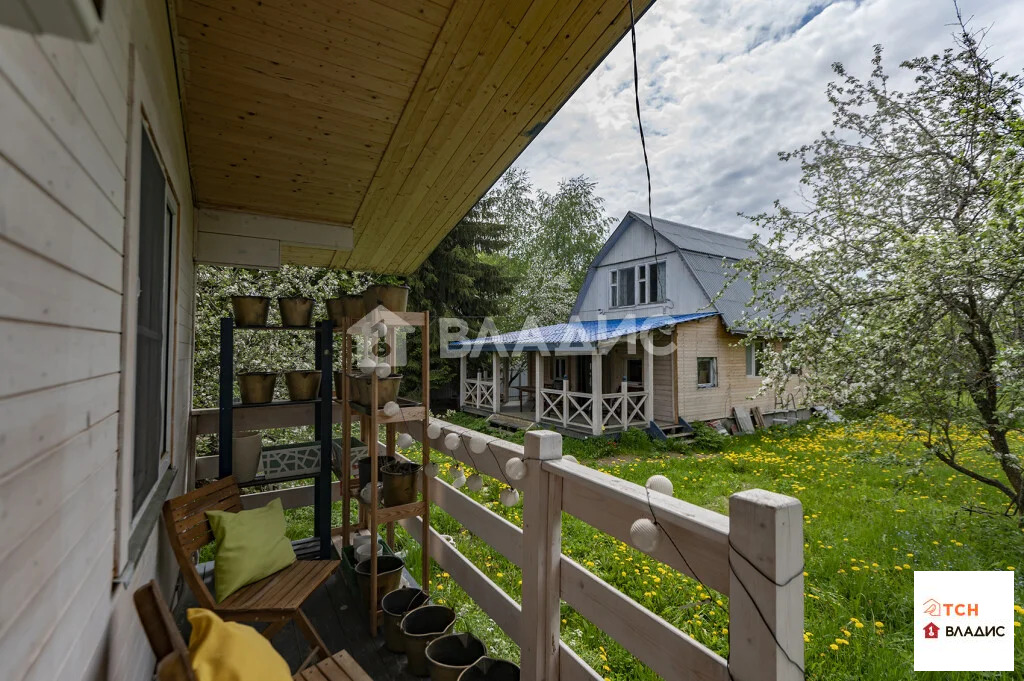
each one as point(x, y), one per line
point(709, 338)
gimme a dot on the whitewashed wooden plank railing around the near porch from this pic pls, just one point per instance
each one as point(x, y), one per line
point(755, 557)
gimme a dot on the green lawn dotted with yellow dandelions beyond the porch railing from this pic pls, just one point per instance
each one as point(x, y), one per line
point(876, 508)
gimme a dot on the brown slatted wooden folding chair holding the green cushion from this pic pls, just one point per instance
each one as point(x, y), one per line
point(276, 600)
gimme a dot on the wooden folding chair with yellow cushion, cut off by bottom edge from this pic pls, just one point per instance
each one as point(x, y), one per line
point(174, 663)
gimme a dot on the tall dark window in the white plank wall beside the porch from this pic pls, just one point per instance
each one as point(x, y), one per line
point(152, 349)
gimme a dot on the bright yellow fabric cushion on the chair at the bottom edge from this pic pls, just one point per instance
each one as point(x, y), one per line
point(232, 652)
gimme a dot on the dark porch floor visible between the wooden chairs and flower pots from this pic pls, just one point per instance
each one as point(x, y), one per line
point(342, 623)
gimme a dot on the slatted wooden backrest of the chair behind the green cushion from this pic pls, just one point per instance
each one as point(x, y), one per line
point(189, 530)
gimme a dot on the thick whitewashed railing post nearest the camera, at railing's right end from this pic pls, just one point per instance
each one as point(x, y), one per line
point(766, 585)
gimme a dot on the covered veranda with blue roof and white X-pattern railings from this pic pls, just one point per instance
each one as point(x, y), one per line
point(589, 377)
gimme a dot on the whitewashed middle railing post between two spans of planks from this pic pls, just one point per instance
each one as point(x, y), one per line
point(542, 549)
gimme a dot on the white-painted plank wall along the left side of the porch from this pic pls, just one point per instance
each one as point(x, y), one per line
point(66, 152)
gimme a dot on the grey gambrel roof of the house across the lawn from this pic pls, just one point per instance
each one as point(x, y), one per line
point(710, 257)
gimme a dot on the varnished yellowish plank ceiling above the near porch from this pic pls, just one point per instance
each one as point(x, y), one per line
point(391, 116)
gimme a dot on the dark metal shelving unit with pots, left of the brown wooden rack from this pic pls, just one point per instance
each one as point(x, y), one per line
point(323, 420)
